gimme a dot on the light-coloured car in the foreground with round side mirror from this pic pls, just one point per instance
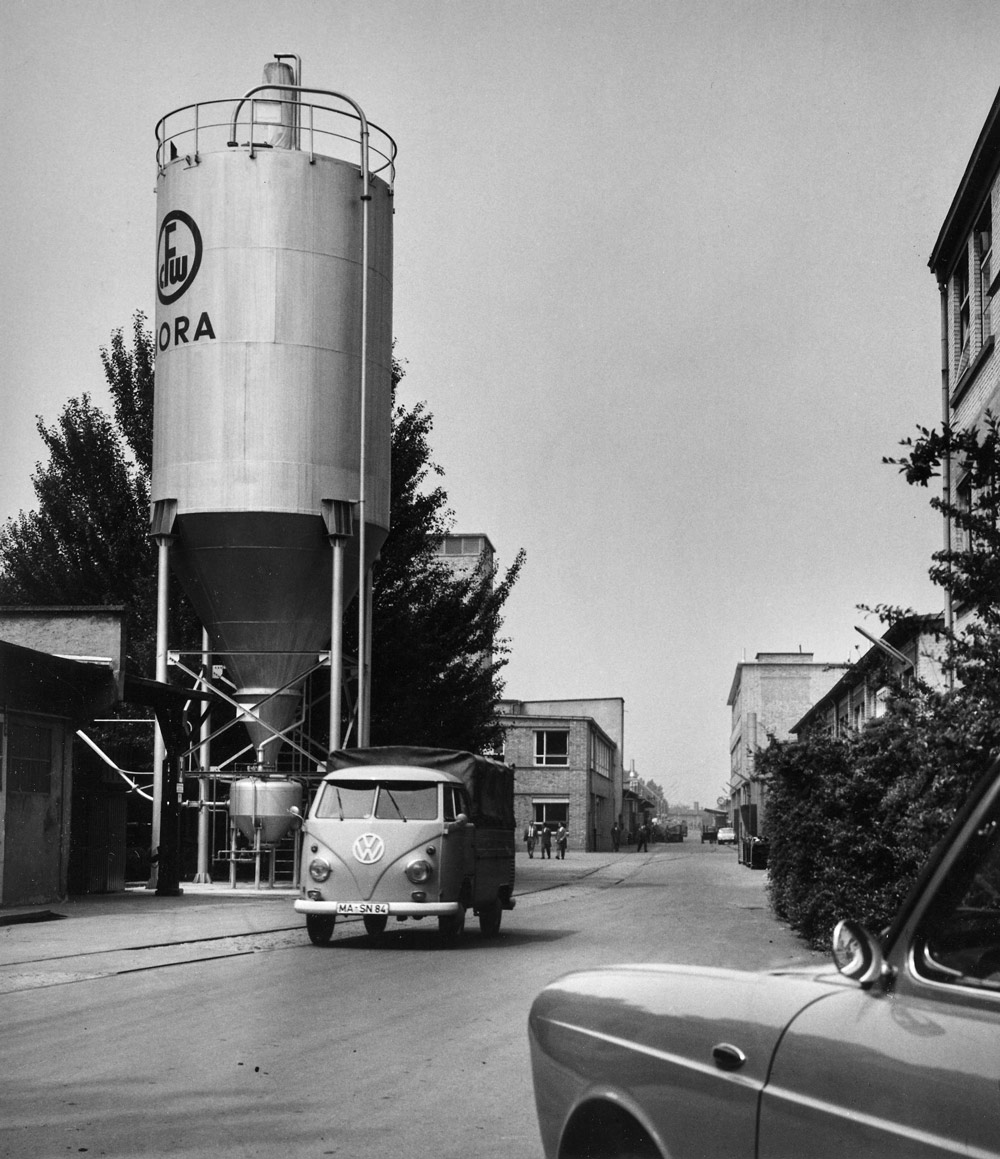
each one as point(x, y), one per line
point(890, 1051)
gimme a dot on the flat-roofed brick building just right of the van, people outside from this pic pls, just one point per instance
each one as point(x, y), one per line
point(568, 766)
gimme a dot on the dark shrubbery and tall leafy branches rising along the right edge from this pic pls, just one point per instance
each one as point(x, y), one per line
point(851, 820)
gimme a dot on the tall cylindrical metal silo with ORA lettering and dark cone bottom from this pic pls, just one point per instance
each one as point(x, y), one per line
point(274, 227)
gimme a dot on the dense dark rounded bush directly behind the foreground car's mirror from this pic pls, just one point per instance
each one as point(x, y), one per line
point(852, 820)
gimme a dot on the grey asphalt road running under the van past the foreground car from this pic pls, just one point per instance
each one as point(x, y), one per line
point(260, 1044)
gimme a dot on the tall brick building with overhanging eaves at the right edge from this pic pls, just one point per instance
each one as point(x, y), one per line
point(968, 272)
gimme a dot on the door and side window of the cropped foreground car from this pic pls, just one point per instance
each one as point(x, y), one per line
point(913, 1069)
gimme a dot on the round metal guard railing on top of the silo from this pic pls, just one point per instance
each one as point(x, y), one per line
point(266, 121)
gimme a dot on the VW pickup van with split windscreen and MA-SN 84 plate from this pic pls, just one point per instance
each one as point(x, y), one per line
point(408, 834)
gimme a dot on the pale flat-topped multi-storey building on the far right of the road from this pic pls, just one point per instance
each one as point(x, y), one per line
point(769, 696)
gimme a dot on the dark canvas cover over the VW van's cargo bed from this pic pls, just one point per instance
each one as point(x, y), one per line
point(490, 783)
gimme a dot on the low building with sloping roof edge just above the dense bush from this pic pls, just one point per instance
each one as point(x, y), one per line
point(911, 650)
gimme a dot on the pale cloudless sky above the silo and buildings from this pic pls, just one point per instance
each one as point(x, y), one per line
point(661, 278)
